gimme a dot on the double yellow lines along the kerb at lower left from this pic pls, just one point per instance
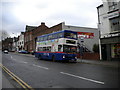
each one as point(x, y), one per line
point(16, 78)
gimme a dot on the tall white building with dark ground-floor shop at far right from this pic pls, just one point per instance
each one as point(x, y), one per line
point(109, 26)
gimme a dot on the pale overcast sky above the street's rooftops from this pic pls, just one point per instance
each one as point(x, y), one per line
point(16, 14)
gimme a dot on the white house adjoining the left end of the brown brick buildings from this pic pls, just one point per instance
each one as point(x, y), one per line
point(20, 43)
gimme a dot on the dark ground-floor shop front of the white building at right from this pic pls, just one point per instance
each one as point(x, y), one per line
point(110, 48)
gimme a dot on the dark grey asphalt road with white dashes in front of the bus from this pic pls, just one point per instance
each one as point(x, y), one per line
point(48, 74)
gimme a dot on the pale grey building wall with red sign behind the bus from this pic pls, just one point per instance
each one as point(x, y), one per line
point(91, 35)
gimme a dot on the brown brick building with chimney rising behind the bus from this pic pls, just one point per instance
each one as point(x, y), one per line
point(31, 33)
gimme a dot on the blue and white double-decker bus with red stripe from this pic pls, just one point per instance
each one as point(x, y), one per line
point(61, 45)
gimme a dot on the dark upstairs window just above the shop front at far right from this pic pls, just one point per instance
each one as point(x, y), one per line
point(115, 24)
